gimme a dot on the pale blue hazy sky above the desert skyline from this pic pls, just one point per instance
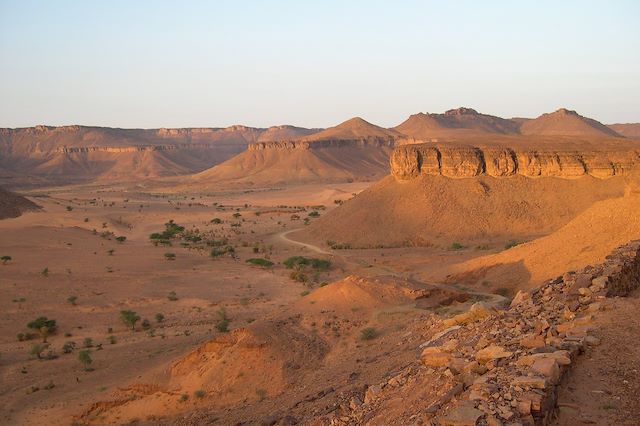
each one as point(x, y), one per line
point(313, 63)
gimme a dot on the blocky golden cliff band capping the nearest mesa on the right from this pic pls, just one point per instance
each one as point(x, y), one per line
point(410, 161)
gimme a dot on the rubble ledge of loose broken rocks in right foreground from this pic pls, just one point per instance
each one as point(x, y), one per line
point(502, 367)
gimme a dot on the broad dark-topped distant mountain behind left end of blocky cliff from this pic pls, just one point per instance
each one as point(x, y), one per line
point(461, 122)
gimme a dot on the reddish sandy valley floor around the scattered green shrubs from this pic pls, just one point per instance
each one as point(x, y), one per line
point(302, 349)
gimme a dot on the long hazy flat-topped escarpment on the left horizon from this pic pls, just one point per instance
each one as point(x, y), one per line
point(71, 154)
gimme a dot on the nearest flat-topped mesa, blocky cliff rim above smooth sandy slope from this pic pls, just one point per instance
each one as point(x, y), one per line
point(468, 196)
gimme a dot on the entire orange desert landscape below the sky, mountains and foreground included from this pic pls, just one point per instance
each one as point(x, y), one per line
point(456, 269)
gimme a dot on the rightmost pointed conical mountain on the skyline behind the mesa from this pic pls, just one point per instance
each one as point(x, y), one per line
point(564, 122)
